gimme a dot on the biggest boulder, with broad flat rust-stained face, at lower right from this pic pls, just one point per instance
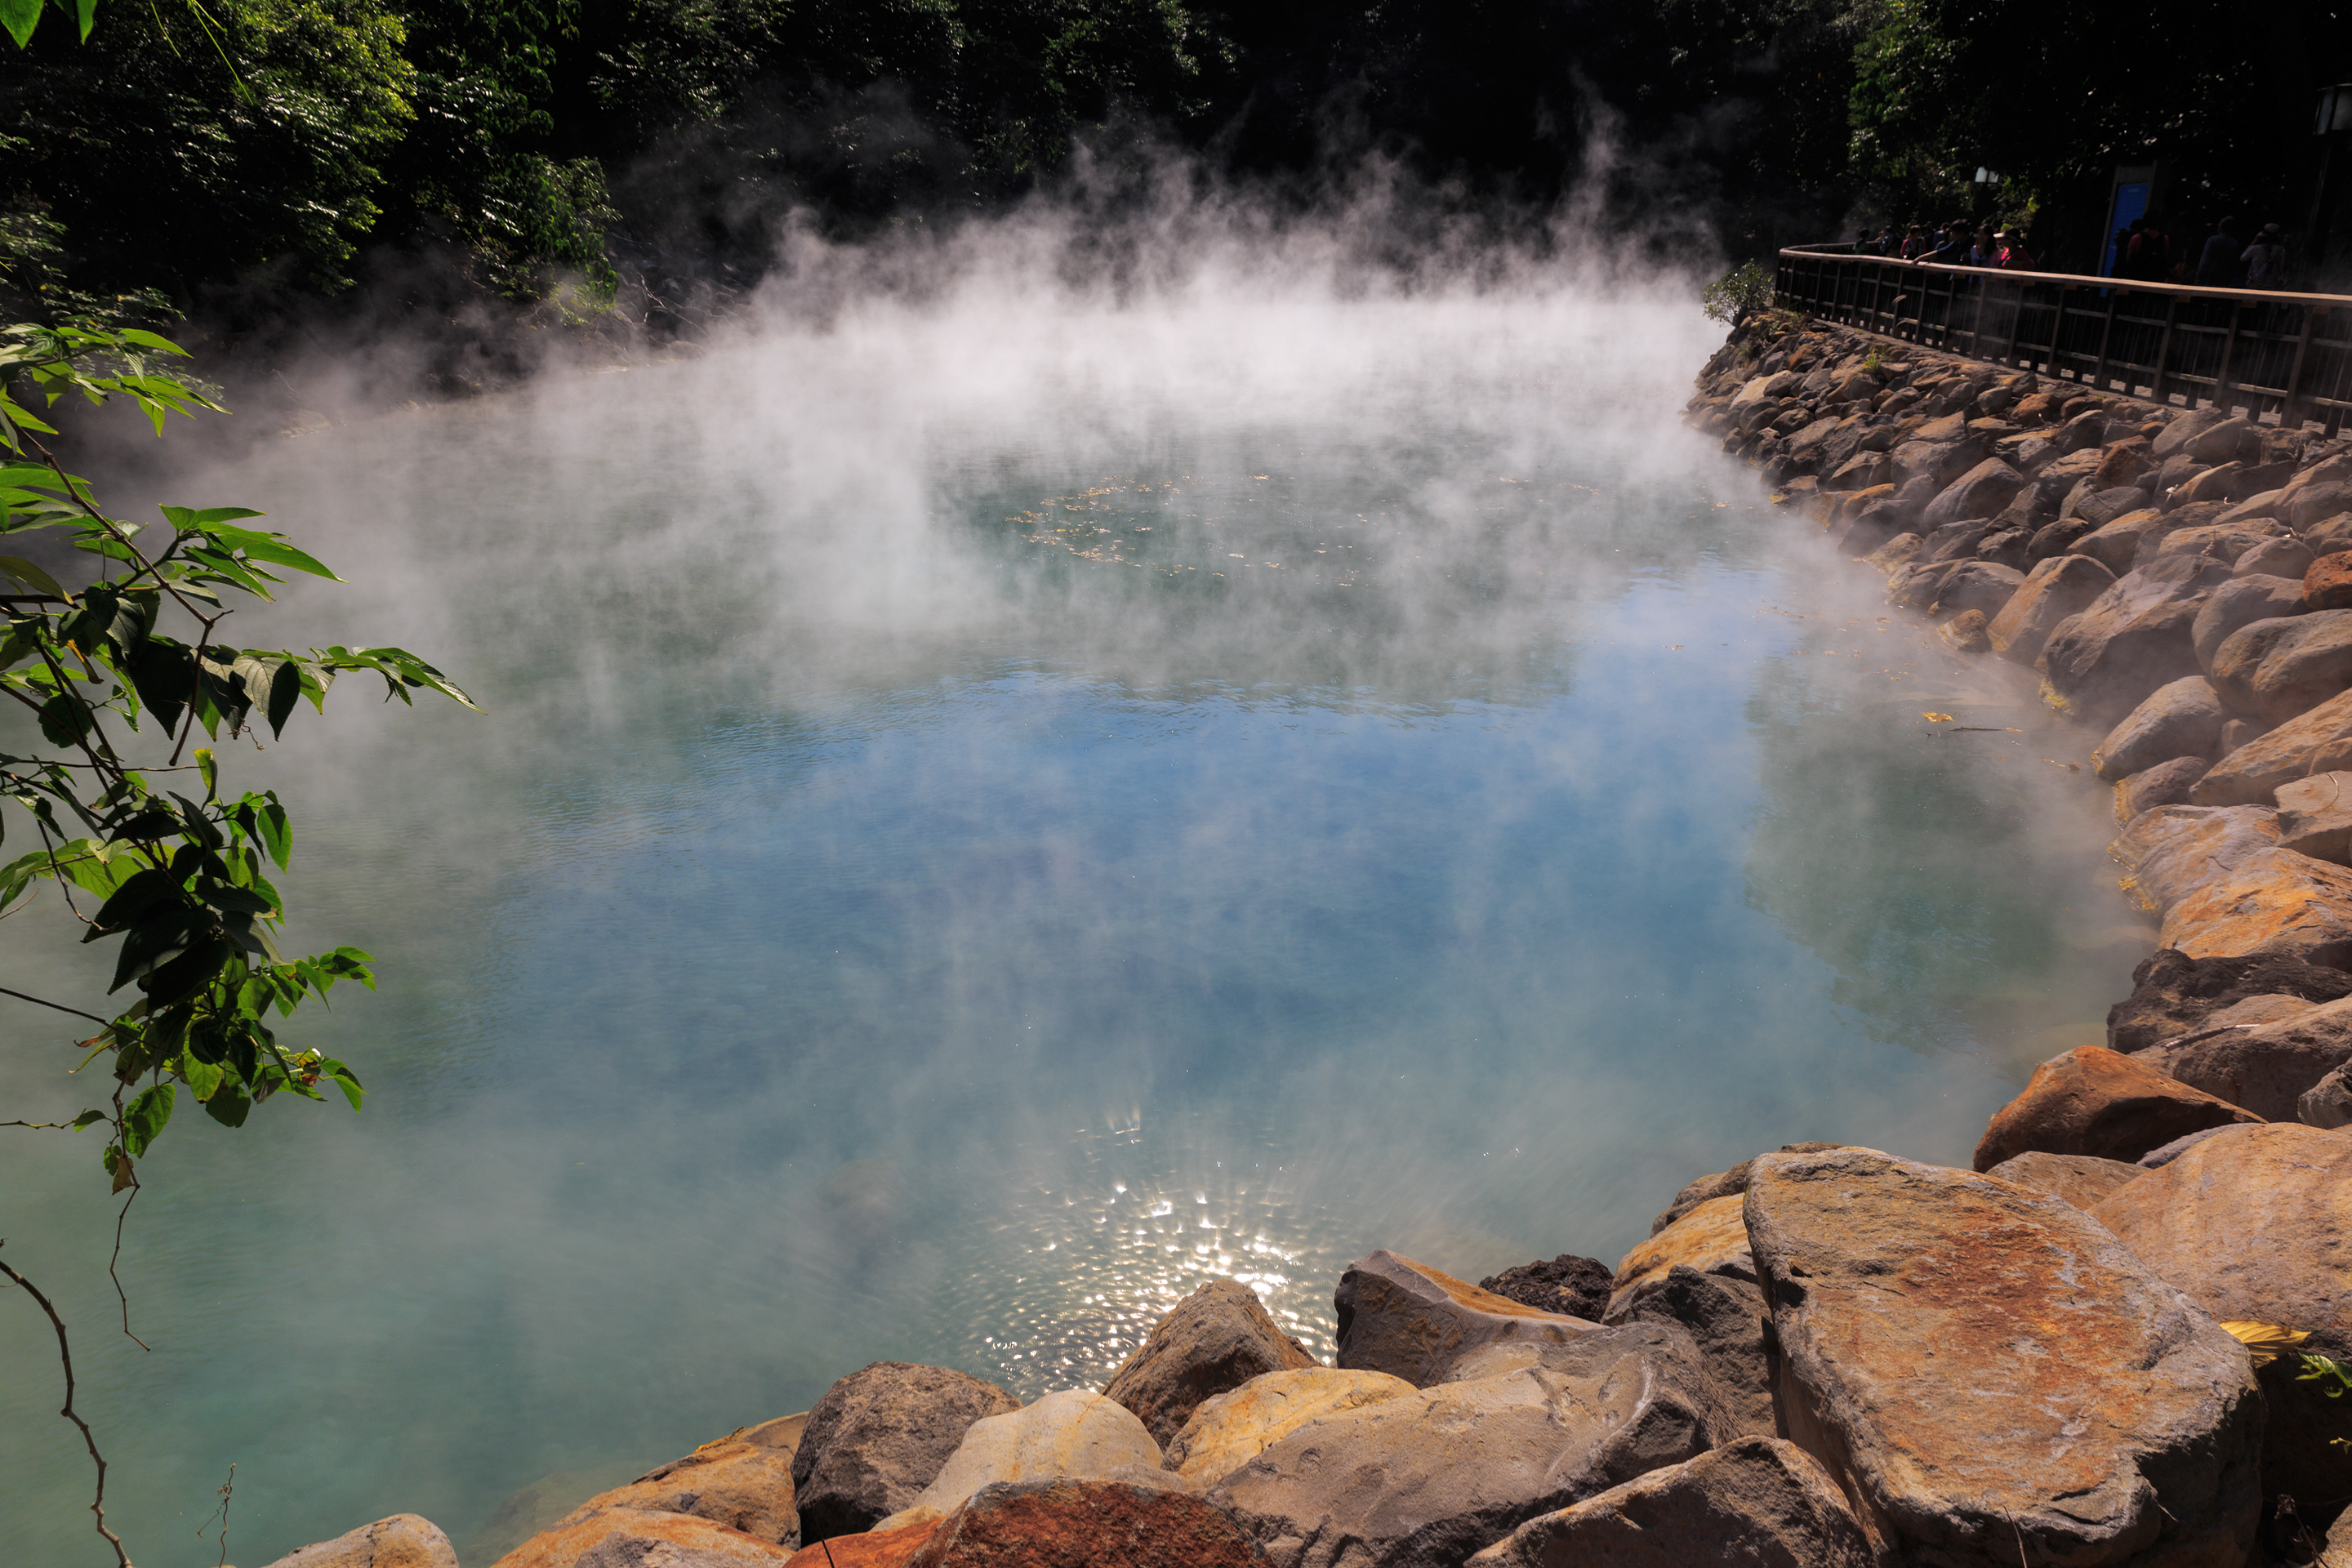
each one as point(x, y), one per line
point(1991, 1376)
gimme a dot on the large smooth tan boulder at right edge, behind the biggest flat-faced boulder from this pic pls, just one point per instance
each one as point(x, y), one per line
point(2257, 1224)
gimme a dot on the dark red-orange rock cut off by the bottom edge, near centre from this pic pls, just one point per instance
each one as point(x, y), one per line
point(1088, 1525)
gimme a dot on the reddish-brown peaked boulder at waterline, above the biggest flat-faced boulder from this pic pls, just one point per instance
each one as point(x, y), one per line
point(2099, 1101)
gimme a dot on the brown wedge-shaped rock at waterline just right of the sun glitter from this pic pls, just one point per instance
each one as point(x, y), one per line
point(1415, 1322)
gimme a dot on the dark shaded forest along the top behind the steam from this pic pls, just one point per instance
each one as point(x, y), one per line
point(620, 163)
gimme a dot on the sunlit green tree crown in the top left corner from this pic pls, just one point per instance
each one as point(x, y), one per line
point(173, 163)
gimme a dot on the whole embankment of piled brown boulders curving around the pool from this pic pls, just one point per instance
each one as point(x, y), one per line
point(1824, 1358)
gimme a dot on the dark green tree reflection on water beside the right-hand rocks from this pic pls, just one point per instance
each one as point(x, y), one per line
point(1956, 897)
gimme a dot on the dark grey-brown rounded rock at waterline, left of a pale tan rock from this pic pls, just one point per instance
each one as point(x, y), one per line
point(878, 1438)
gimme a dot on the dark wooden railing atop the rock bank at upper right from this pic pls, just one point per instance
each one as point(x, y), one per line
point(2233, 349)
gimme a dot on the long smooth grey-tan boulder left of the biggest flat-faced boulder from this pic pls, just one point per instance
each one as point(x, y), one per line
point(1431, 1477)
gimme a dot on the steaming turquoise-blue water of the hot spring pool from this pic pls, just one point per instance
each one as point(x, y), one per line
point(994, 817)
